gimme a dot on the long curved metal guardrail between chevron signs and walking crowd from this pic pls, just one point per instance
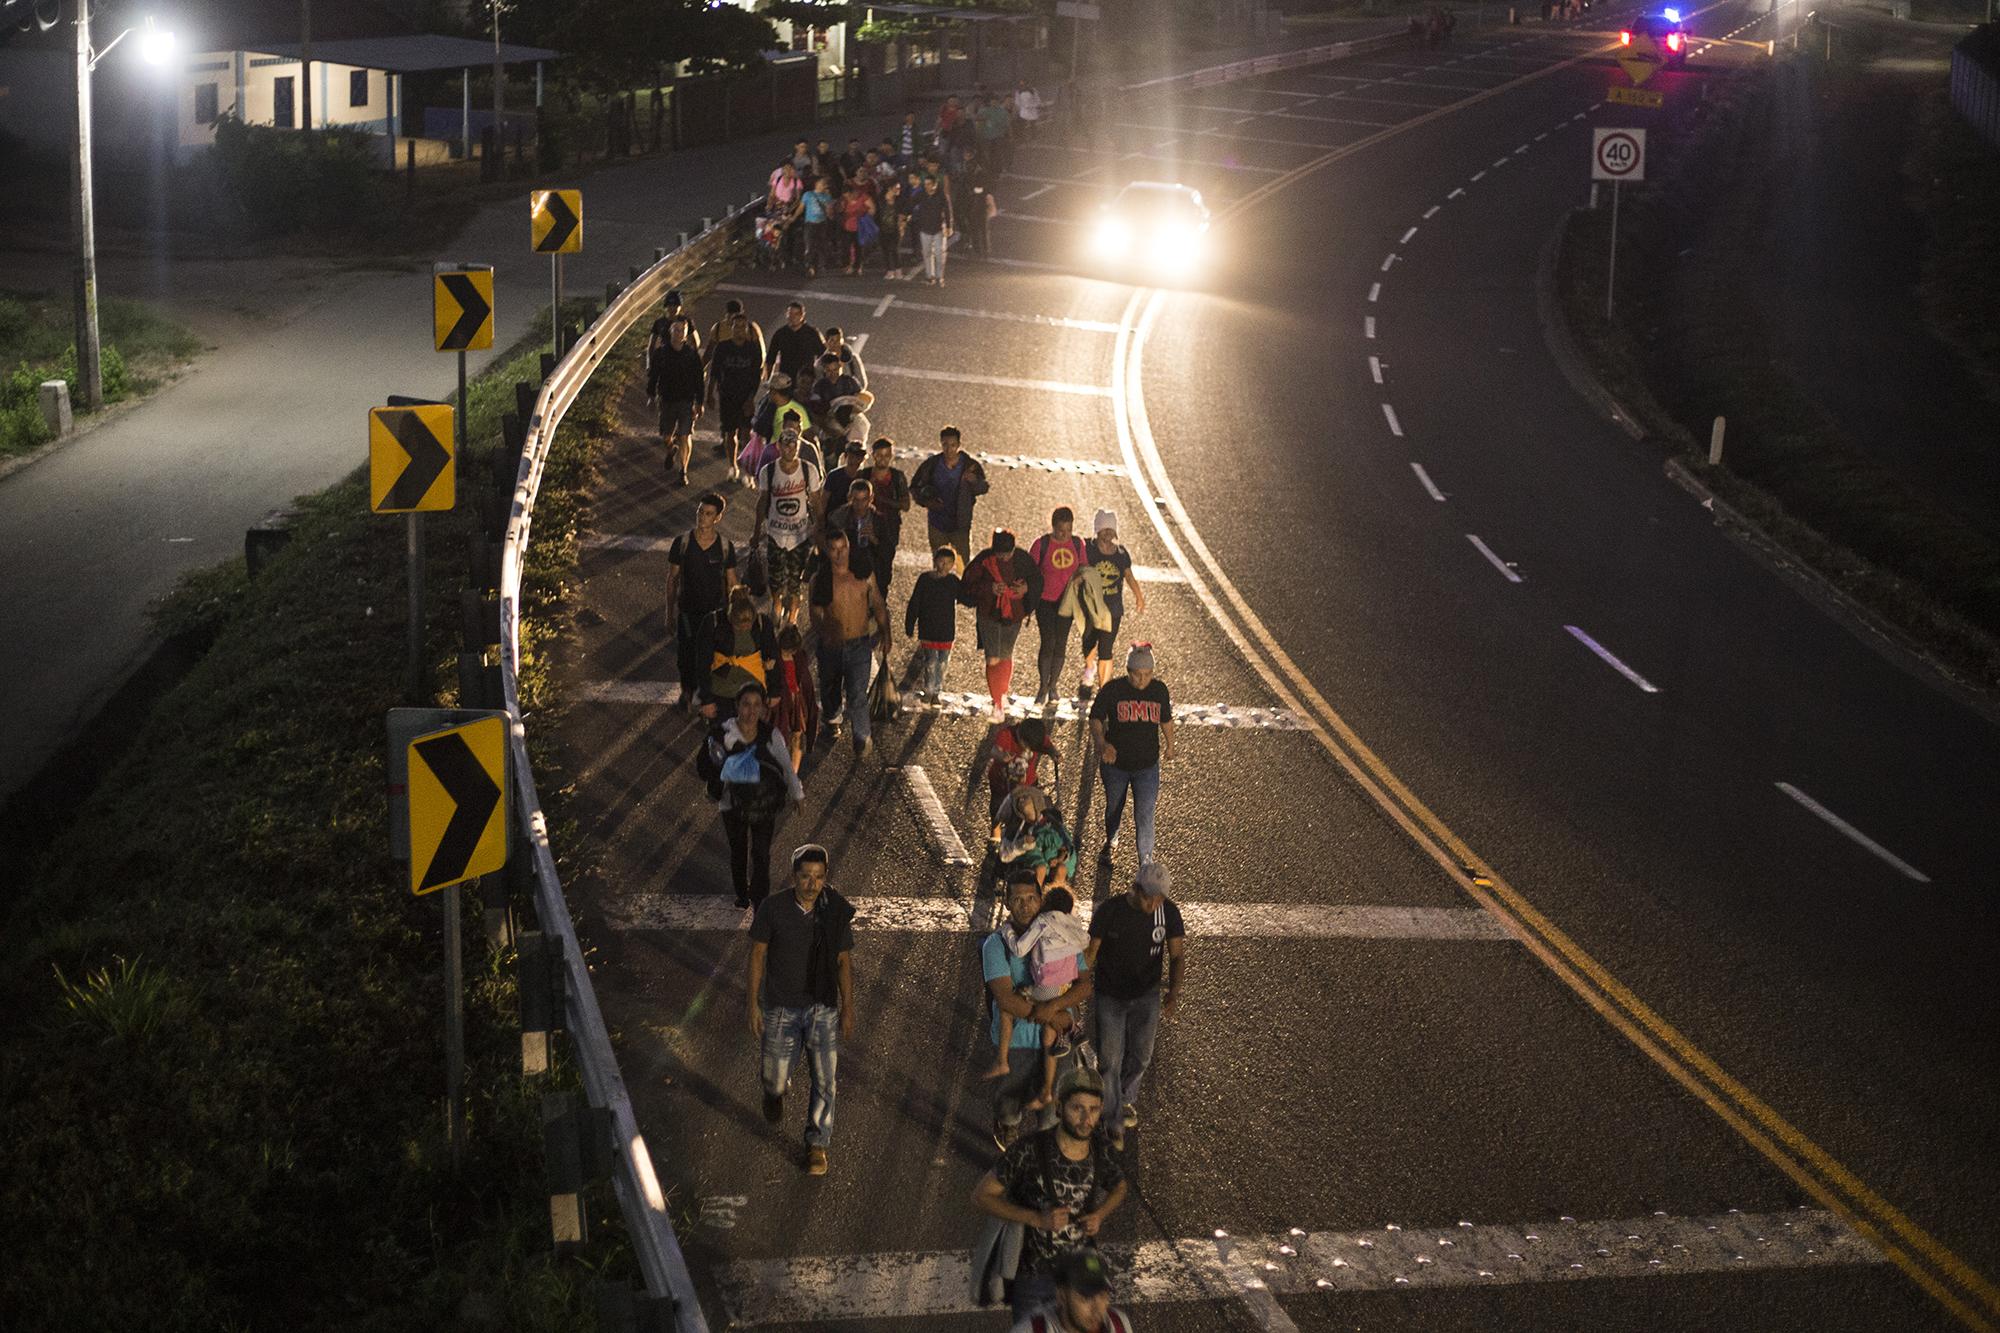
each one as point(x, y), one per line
point(633, 1176)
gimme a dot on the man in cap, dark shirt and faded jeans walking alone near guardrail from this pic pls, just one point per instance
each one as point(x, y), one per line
point(803, 994)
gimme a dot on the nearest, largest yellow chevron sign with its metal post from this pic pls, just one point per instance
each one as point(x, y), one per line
point(457, 792)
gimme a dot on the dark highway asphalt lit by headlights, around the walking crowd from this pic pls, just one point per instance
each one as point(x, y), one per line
point(1609, 734)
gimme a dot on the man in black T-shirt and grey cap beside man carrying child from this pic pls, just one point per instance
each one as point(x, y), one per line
point(1135, 940)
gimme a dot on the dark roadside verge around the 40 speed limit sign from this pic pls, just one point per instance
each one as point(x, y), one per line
point(1695, 347)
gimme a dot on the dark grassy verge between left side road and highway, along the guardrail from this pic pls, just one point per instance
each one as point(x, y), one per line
point(223, 1062)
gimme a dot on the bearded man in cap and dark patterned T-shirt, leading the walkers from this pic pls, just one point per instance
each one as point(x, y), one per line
point(1061, 1186)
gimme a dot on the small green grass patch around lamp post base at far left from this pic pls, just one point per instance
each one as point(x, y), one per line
point(143, 349)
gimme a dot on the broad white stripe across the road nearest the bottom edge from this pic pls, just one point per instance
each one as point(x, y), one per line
point(827, 1290)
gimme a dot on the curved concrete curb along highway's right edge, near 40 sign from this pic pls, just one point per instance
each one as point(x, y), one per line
point(1885, 639)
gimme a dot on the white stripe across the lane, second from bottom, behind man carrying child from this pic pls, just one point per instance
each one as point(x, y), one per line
point(951, 914)
